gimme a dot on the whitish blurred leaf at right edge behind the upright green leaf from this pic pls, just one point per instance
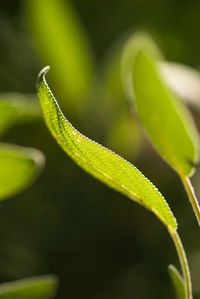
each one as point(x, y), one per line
point(183, 80)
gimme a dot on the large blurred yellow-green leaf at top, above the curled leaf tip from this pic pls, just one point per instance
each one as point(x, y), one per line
point(62, 42)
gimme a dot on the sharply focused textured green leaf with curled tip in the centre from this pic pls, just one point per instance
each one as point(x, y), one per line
point(99, 161)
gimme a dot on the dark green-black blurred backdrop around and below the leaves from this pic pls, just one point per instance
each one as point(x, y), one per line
point(99, 244)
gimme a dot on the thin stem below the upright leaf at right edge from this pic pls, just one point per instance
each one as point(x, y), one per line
point(192, 197)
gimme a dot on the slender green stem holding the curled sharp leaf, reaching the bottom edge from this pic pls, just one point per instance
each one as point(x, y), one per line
point(184, 264)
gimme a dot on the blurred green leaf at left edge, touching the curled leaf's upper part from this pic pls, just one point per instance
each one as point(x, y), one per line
point(14, 106)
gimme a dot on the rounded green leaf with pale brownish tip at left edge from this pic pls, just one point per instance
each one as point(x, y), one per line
point(19, 167)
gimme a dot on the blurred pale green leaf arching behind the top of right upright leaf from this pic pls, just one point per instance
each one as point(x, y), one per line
point(137, 41)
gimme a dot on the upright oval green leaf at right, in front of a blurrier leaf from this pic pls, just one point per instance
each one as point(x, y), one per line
point(166, 120)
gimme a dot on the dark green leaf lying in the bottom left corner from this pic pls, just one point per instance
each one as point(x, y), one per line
point(43, 287)
